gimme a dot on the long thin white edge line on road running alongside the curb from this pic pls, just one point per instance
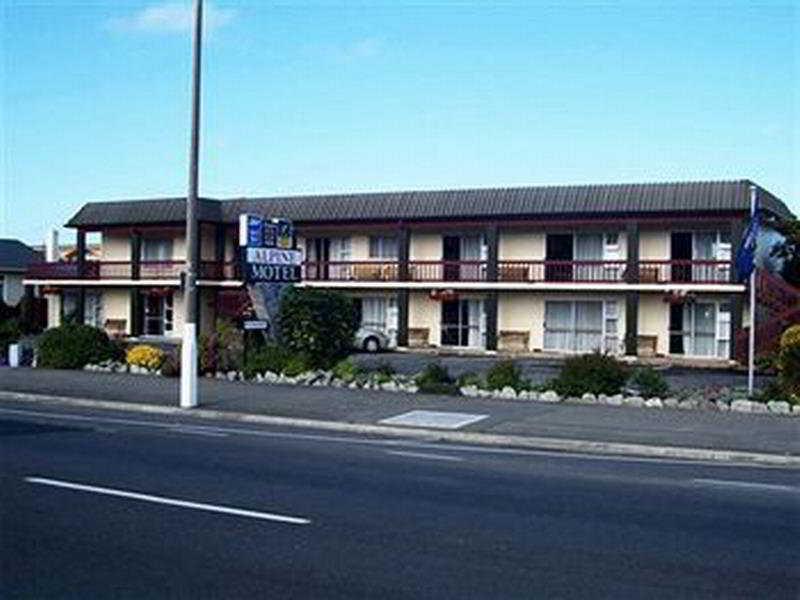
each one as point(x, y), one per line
point(391, 442)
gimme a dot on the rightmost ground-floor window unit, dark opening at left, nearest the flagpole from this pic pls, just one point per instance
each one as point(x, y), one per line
point(701, 328)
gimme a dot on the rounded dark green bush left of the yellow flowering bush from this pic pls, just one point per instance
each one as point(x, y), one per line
point(74, 346)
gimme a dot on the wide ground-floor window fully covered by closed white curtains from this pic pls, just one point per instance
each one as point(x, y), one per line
point(581, 326)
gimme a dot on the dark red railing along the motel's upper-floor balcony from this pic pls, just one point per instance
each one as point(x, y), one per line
point(431, 271)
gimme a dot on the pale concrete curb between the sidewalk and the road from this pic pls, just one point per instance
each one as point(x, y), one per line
point(429, 435)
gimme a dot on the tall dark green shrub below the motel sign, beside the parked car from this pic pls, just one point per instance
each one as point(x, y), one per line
point(317, 324)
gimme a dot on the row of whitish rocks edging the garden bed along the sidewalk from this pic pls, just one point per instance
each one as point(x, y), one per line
point(405, 384)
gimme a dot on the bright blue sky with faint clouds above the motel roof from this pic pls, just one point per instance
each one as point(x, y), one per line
point(324, 97)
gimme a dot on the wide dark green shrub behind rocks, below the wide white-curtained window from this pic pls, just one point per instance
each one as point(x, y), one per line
point(593, 373)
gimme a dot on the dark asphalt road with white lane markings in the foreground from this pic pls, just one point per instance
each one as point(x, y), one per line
point(96, 505)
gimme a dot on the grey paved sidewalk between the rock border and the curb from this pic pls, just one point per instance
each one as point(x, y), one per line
point(665, 427)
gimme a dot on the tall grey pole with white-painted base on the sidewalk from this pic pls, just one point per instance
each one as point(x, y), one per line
point(188, 397)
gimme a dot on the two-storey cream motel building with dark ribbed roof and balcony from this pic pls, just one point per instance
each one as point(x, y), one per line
point(639, 270)
